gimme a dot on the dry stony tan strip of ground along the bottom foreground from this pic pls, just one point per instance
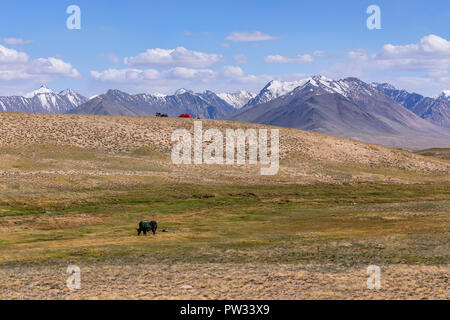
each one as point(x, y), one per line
point(223, 281)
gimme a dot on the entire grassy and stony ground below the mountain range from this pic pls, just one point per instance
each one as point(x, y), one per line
point(73, 187)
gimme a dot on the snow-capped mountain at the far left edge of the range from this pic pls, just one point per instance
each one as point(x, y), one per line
point(42, 100)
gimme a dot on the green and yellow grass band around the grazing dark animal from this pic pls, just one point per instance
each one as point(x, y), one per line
point(346, 224)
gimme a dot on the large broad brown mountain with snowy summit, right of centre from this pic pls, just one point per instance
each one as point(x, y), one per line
point(348, 108)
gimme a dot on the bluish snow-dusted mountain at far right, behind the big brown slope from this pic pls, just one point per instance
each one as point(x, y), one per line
point(435, 110)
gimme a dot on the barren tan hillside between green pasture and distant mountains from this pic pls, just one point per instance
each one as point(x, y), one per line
point(304, 156)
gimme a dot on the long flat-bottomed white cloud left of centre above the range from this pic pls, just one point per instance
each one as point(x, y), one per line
point(179, 57)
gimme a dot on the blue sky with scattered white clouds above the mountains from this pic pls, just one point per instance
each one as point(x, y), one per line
point(223, 45)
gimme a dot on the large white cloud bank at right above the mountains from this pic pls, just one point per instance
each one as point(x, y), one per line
point(423, 67)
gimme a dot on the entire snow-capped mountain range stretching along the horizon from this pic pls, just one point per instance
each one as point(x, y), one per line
point(350, 108)
